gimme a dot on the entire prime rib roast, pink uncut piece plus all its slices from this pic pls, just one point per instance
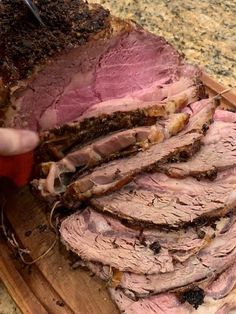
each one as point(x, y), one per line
point(130, 142)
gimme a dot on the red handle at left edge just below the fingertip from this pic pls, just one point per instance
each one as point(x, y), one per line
point(17, 168)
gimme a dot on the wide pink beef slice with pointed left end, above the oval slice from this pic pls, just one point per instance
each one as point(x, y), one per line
point(164, 201)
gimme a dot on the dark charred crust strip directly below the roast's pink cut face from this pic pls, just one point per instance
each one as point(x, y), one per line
point(57, 142)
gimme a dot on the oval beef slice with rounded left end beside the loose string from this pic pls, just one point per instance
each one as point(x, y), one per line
point(100, 238)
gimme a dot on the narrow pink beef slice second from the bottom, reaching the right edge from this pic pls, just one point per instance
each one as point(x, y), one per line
point(210, 261)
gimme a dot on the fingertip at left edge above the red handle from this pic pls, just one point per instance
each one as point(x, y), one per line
point(15, 142)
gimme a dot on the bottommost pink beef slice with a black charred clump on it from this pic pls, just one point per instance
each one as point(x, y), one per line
point(217, 296)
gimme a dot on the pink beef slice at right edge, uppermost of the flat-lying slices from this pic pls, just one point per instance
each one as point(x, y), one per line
point(217, 153)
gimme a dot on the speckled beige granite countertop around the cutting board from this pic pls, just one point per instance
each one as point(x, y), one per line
point(205, 31)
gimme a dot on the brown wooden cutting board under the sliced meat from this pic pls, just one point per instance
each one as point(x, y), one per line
point(51, 285)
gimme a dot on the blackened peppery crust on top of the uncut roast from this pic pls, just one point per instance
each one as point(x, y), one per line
point(25, 44)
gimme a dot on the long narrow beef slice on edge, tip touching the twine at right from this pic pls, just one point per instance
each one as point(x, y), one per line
point(113, 175)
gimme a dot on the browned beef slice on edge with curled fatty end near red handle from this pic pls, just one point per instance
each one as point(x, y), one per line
point(107, 148)
